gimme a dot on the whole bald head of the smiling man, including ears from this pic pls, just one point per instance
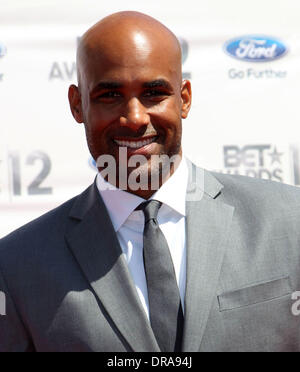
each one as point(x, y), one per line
point(131, 95)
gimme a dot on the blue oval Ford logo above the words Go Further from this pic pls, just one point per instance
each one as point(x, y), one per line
point(255, 48)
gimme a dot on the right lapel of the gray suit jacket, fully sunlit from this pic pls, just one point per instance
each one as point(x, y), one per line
point(207, 224)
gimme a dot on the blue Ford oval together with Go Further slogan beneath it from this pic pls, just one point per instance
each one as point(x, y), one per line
point(255, 49)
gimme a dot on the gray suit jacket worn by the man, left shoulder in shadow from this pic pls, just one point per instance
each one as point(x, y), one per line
point(68, 287)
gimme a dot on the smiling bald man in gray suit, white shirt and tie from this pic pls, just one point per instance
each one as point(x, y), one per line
point(202, 262)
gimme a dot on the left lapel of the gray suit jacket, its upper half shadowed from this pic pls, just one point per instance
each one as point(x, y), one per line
point(96, 248)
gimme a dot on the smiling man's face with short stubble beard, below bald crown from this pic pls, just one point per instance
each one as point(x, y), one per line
point(132, 97)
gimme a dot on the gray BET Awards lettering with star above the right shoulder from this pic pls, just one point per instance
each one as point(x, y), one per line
point(260, 161)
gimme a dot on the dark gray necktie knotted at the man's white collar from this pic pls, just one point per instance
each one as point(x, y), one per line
point(166, 315)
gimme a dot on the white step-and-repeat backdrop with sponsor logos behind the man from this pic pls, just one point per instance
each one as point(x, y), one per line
point(242, 57)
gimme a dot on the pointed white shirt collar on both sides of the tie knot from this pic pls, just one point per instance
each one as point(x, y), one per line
point(120, 204)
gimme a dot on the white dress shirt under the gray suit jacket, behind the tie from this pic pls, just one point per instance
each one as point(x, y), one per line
point(129, 226)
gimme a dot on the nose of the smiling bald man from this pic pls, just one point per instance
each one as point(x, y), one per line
point(135, 114)
